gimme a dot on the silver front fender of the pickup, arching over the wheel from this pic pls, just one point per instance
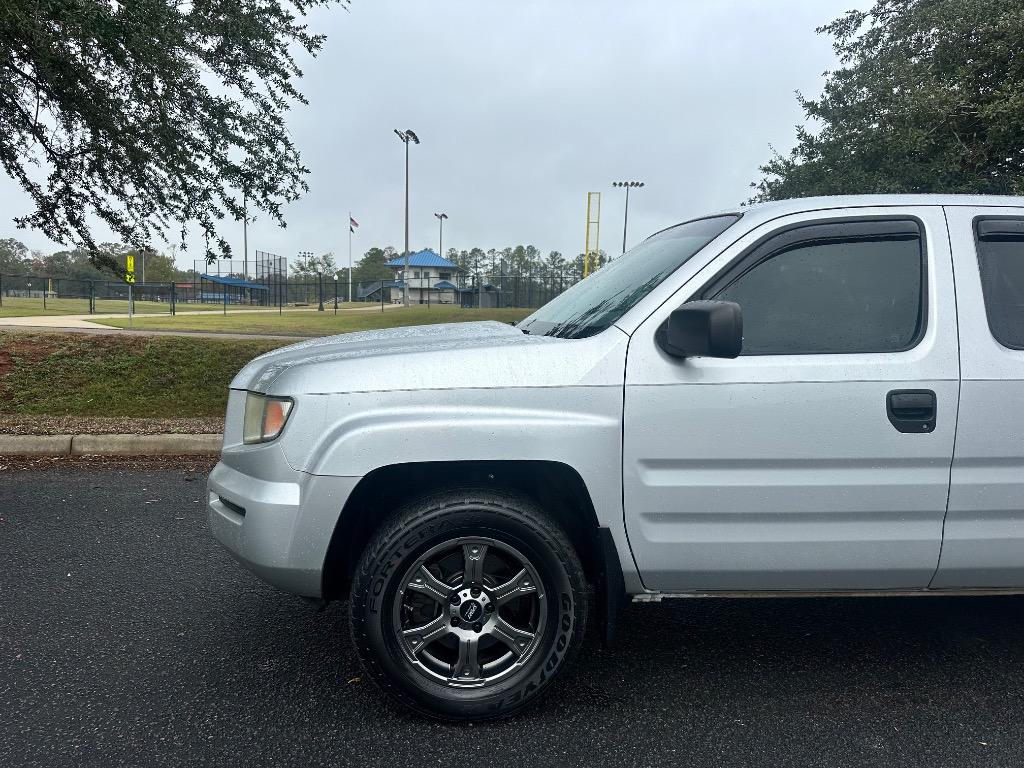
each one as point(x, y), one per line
point(579, 426)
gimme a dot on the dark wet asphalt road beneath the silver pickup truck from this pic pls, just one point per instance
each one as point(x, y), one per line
point(127, 637)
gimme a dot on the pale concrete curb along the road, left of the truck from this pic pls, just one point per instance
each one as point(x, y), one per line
point(110, 445)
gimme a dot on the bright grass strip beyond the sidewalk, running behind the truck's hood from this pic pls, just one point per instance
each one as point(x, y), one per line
point(319, 324)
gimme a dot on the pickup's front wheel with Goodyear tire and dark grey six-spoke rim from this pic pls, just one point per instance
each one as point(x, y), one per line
point(525, 605)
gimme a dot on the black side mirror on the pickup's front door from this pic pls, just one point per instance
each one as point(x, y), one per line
point(703, 329)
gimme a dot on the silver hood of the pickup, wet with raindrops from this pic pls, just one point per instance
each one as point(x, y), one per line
point(439, 357)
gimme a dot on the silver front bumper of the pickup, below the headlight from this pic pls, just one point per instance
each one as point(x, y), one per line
point(279, 530)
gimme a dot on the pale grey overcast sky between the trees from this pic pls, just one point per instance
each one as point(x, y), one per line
point(525, 107)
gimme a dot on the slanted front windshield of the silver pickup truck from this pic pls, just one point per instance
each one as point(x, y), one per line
point(593, 305)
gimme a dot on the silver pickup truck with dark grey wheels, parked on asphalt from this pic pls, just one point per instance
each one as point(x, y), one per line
point(821, 397)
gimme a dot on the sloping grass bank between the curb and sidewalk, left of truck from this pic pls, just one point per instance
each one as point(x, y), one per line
point(131, 376)
